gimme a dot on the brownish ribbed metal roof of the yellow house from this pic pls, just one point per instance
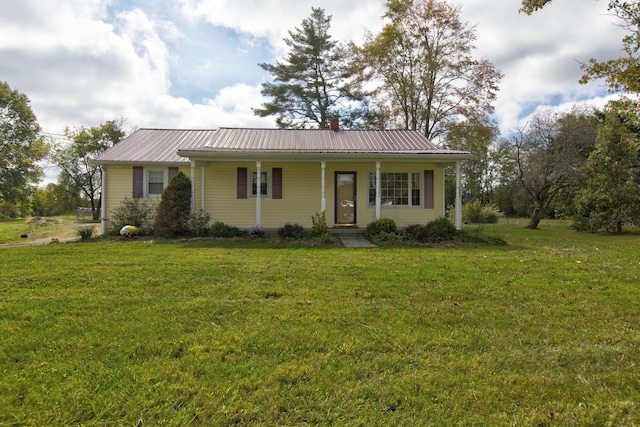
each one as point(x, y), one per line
point(175, 146)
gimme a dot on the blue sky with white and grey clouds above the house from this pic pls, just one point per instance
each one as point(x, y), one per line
point(193, 63)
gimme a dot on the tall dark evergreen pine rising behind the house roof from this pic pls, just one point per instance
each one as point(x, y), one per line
point(312, 84)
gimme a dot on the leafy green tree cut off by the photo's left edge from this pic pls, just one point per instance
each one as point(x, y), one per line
point(21, 147)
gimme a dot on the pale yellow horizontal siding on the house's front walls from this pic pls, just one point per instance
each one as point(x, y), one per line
point(301, 193)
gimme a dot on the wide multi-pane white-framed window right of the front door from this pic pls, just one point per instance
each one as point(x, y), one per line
point(396, 189)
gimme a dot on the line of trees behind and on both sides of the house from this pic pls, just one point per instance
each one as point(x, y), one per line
point(420, 72)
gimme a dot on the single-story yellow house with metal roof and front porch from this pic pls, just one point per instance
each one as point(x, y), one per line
point(270, 177)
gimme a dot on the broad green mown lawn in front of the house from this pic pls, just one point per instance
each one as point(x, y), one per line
point(543, 331)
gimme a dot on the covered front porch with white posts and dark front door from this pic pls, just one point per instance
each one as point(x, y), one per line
point(269, 191)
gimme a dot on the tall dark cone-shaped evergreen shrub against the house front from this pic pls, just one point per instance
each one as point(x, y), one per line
point(175, 206)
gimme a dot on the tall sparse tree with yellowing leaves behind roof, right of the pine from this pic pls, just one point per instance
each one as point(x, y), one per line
point(424, 64)
